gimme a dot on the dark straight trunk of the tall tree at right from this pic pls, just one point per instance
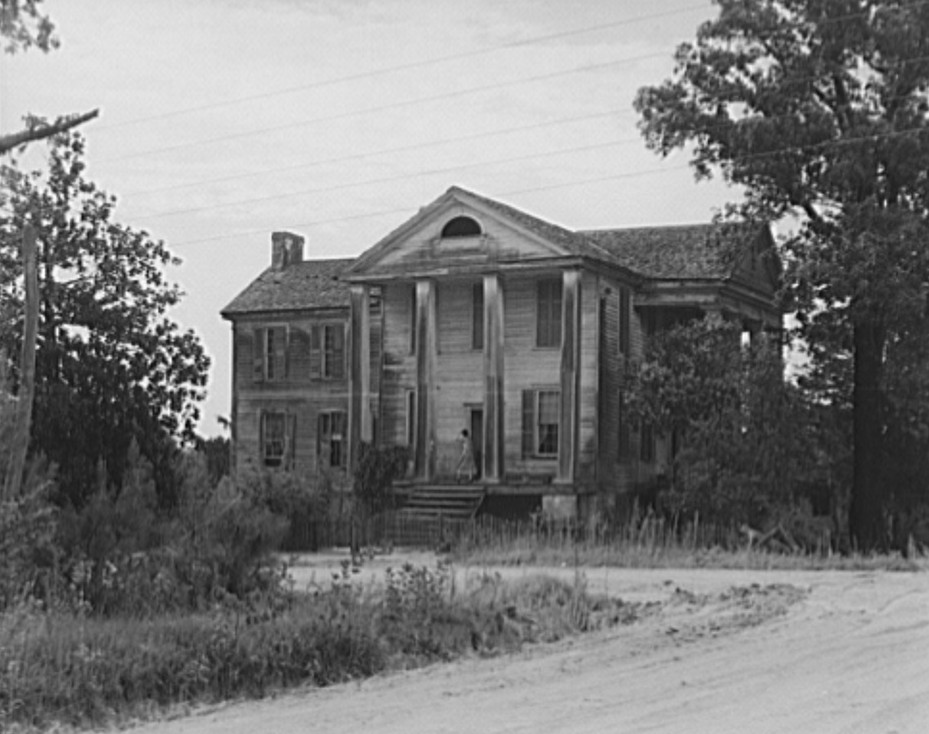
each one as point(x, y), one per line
point(868, 501)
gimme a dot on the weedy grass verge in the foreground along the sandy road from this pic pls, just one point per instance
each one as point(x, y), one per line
point(58, 668)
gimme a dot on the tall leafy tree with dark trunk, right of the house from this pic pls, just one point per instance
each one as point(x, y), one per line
point(818, 108)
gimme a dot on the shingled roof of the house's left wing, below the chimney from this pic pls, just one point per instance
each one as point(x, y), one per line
point(303, 285)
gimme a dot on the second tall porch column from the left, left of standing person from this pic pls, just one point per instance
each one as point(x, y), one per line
point(424, 460)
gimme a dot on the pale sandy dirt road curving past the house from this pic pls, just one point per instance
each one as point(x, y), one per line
point(850, 655)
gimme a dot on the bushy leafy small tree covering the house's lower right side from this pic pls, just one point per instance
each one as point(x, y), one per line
point(746, 446)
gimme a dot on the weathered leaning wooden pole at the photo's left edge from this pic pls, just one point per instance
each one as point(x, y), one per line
point(23, 418)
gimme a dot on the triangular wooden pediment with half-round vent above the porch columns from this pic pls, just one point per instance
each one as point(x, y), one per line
point(463, 229)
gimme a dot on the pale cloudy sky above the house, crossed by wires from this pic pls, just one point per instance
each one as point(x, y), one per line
point(224, 120)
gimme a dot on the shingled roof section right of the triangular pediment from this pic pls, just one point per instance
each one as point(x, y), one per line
point(693, 251)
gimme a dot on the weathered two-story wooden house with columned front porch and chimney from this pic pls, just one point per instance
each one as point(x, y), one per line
point(475, 315)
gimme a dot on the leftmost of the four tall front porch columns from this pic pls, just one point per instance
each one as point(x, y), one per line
point(359, 371)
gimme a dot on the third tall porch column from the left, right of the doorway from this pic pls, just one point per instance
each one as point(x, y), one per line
point(493, 468)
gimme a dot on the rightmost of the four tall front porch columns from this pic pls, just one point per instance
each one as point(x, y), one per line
point(570, 374)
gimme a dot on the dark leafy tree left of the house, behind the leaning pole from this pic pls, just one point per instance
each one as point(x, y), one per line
point(111, 366)
